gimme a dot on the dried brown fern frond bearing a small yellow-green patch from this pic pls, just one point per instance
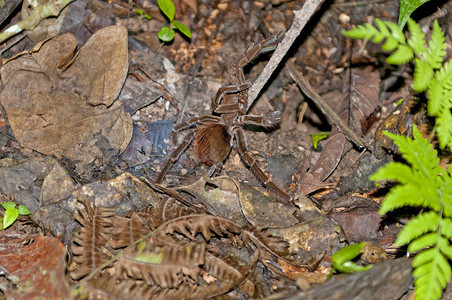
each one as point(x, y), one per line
point(167, 267)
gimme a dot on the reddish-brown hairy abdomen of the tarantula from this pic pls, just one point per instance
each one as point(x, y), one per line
point(213, 143)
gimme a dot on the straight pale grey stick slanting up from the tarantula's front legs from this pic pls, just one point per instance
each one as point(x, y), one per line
point(301, 18)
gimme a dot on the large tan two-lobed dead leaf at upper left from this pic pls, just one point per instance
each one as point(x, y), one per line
point(62, 105)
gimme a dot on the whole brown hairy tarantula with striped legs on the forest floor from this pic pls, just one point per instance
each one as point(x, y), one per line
point(214, 134)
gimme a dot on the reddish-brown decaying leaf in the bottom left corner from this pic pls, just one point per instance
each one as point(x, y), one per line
point(35, 265)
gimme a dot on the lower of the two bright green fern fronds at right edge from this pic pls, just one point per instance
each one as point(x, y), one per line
point(428, 185)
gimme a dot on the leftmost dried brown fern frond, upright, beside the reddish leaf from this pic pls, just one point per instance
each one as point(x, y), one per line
point(89, 243)
